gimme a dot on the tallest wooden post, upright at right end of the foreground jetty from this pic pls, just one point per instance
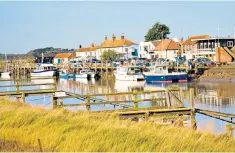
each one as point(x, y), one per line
point(191, 99)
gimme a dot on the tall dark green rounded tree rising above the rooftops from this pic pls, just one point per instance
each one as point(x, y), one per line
point(157, 31)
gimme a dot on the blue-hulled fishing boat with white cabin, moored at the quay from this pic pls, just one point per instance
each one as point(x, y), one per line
point(160, 73)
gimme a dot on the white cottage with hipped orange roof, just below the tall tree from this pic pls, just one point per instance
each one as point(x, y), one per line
point(167, 48)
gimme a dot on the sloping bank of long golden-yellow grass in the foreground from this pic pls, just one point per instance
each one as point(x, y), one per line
point(60, 130)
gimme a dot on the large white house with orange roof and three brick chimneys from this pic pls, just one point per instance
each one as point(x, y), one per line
point(124, 47)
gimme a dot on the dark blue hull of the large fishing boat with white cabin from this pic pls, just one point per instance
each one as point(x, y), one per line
point(168, 78)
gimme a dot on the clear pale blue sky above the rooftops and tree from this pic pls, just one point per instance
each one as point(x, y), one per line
point(31, 25)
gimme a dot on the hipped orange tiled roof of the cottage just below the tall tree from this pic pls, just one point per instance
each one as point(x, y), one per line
point(167, 44)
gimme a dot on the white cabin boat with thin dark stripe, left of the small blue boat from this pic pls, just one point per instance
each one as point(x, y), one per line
point(43, 70)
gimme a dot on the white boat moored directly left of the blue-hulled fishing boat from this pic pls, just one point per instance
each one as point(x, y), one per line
point(128, 74)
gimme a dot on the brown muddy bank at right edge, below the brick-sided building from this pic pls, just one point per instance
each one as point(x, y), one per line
point(218, 75)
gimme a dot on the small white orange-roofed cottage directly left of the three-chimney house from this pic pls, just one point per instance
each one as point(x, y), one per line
point(84, 53)
